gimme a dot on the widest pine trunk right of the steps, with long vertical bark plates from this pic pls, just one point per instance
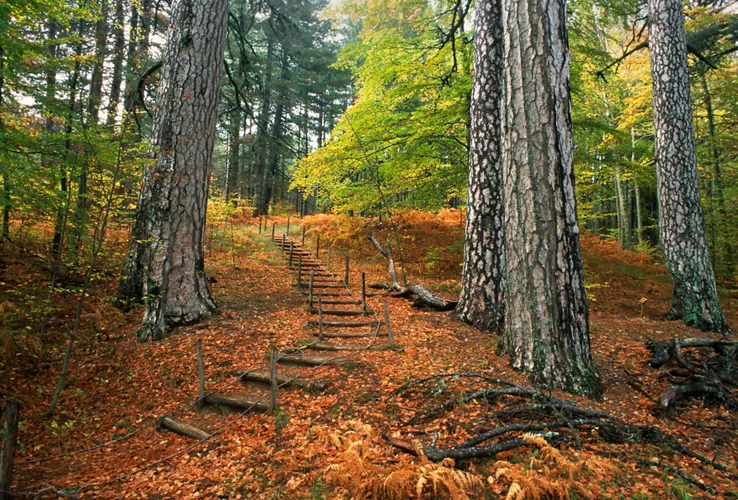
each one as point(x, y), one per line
point(546, 317)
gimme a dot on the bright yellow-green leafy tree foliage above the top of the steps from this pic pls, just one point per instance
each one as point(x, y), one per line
point(403, 142)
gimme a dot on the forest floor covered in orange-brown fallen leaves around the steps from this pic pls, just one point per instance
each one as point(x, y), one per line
point(118, 387)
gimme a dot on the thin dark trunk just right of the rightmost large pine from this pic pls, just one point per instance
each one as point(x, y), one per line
point(716, 182)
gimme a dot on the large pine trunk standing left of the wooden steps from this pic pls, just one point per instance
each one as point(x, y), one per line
point(173, 202)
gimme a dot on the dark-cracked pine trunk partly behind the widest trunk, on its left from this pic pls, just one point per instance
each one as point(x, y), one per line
point(481, 299)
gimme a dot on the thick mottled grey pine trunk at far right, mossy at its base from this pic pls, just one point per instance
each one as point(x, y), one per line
point(682, 225)
